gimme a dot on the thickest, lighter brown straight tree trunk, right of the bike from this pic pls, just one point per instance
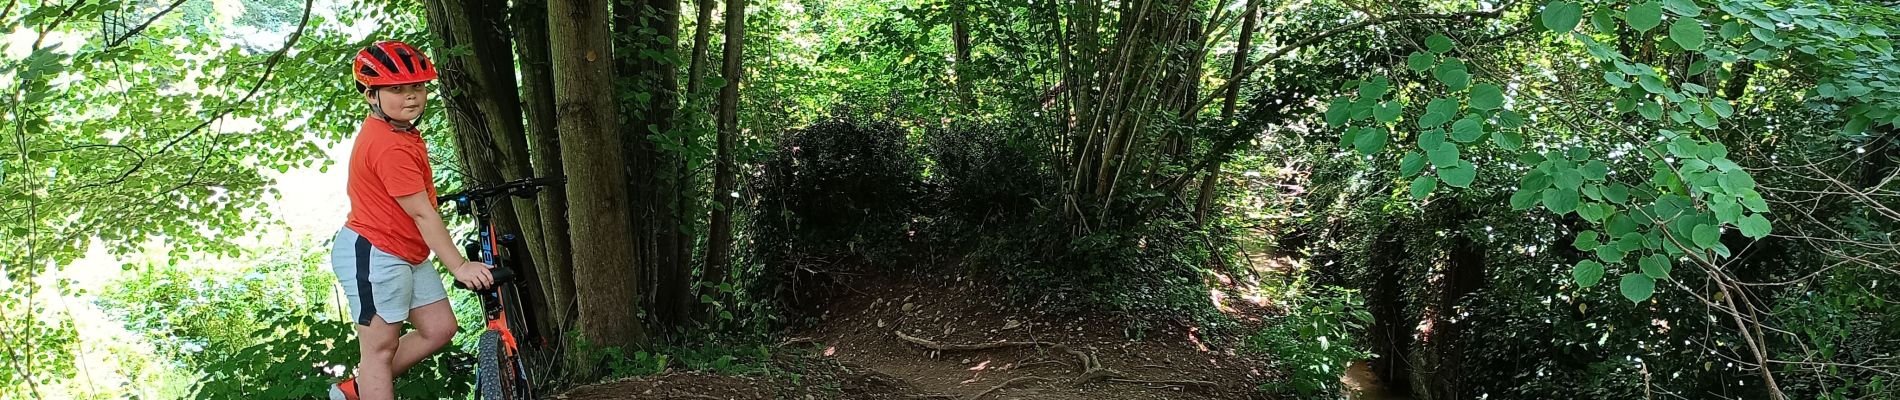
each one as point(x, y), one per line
point(607, 285)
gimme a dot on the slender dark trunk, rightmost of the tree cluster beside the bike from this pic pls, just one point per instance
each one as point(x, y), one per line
point(719, 247)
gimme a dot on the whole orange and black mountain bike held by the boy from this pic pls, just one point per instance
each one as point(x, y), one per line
point(510, 342)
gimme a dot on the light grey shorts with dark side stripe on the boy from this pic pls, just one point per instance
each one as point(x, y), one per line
point(379, 283)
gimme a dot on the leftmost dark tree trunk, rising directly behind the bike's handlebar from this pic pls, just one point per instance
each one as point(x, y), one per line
point(487, 117)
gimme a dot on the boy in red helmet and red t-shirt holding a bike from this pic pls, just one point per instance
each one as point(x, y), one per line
point(394, 227)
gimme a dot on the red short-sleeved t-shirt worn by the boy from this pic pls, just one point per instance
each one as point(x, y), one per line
point(389, 164)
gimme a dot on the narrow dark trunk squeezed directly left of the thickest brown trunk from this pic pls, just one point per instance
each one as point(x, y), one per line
point(539, 105)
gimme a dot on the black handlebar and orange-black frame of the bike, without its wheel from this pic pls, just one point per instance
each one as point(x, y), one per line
point(501, 302)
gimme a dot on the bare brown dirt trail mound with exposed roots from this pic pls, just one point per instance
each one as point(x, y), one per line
point(947, 338)
